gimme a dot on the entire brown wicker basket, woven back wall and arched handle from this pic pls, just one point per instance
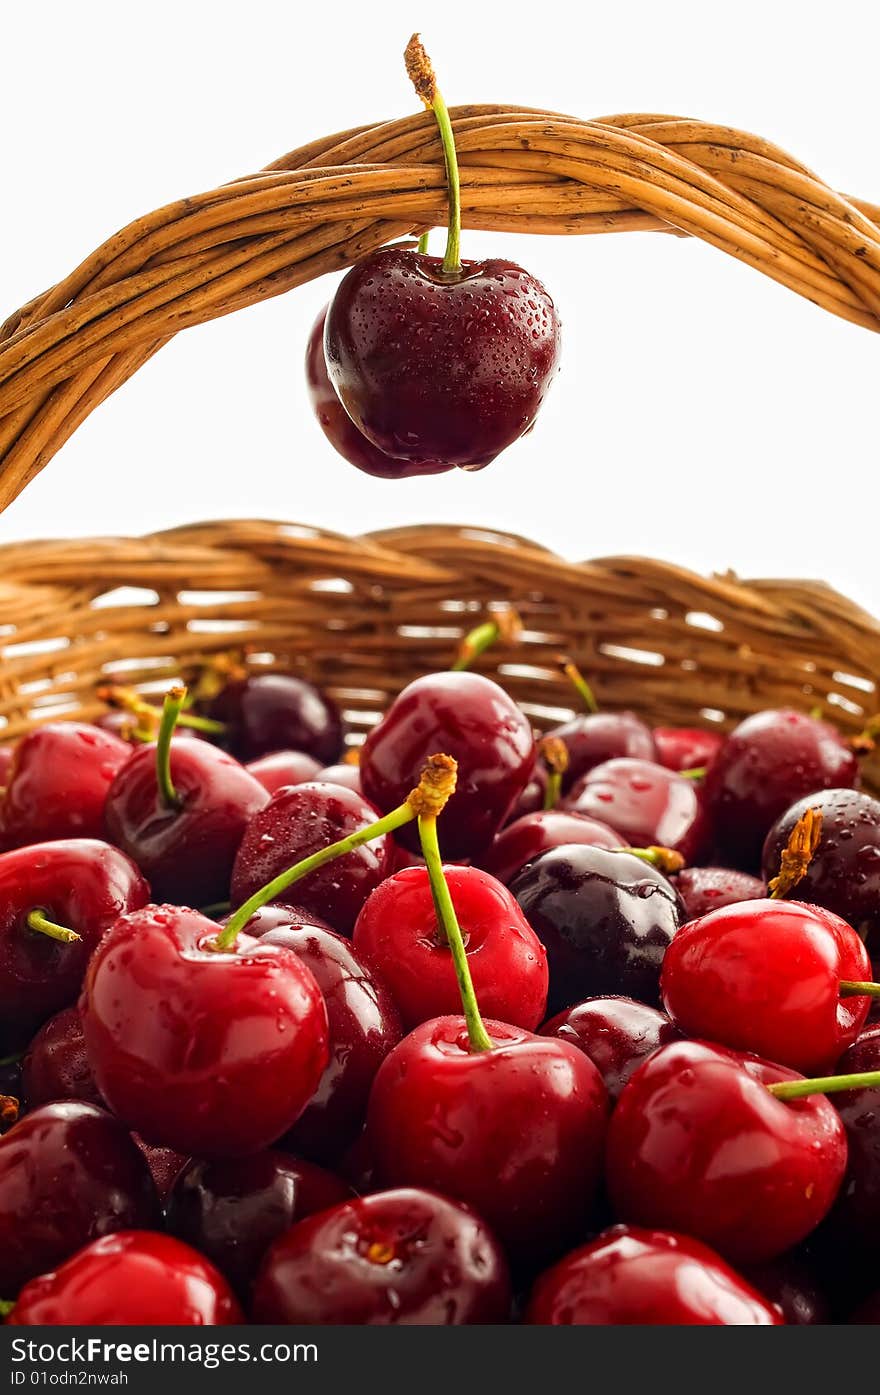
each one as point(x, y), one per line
point(363, 616)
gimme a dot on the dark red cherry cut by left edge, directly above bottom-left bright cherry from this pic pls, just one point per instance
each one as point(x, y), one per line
point(69, 1174)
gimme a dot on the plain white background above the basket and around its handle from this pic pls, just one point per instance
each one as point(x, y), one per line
point(704, 415)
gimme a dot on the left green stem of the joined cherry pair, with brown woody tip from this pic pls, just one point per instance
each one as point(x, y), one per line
point(434, 789)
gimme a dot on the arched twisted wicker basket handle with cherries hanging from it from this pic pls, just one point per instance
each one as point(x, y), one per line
point(327, 204)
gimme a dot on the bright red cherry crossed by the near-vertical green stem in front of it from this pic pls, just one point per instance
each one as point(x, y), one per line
point(398, 931)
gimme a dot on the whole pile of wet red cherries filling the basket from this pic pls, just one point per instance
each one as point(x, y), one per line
point(266, 1058)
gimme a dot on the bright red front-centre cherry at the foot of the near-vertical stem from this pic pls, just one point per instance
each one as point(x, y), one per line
point(517, 1132)
